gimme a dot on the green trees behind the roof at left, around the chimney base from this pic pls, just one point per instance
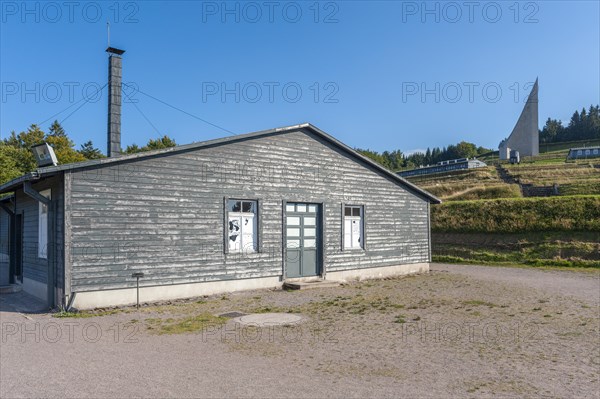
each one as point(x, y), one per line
point(16, 157)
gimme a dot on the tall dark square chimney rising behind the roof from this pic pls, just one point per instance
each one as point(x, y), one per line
point(115, 75)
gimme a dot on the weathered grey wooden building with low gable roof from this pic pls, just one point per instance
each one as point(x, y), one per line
point(242, 212)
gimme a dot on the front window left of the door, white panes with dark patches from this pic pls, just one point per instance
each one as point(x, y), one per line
point(245, 221)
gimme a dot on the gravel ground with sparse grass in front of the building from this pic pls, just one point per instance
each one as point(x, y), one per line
point(459, 331)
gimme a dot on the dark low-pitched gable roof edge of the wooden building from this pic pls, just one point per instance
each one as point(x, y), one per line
point(52, 170)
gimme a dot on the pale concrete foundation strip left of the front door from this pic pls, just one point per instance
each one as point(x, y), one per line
point(127, 296)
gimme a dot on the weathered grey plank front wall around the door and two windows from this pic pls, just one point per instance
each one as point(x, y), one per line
point(163, 215)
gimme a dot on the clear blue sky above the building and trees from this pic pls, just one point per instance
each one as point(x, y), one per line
point(375, 74)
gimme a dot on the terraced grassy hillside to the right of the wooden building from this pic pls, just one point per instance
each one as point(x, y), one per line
point(485, 220)
